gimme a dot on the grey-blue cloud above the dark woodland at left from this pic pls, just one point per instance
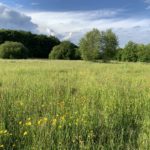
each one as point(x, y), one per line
point(11, 19)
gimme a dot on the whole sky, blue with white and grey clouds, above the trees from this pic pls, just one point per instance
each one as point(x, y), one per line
point(71, 19)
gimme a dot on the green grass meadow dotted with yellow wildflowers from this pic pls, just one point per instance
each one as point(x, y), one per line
point(48, 105)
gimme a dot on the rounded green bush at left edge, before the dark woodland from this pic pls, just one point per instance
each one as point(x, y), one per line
point(13, 50)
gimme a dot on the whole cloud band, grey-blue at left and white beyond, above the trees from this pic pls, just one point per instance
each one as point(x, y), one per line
point(74, 24)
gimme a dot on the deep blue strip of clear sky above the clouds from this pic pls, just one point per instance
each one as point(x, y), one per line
point(66, 5)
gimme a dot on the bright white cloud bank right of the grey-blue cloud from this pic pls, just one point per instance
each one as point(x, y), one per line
point(73, 25)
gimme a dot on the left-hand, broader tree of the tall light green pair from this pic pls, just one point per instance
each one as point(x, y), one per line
point(90, 45)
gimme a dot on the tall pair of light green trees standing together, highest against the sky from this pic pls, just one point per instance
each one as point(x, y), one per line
point(98, 44)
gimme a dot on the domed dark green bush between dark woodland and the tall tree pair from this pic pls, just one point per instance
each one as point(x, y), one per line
point(66, 50)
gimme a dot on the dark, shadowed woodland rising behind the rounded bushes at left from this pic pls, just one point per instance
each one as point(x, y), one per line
point(39, 46)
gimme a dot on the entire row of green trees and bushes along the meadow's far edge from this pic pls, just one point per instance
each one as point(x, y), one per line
point(94, 45)
